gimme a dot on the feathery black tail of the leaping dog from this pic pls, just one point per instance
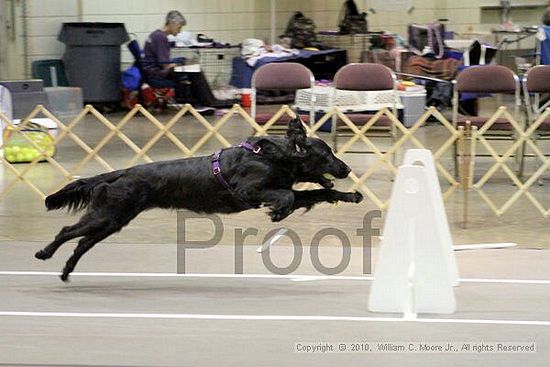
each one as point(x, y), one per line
point(78, 194)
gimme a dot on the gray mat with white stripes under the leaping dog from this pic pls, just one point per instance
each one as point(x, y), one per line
point(187, 321)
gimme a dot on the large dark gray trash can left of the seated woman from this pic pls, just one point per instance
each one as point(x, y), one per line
point(92, 59)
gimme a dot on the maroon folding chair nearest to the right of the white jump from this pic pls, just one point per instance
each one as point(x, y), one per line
point(483, 81)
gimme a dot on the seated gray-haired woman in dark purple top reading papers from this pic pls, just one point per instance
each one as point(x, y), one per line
point(158, 67)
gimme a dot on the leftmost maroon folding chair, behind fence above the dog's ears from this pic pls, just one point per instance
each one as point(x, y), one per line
point(281, 76)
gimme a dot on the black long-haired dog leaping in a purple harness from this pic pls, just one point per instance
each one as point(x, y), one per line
point(260, 172)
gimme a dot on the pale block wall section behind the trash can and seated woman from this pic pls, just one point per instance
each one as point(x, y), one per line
point(227, 21)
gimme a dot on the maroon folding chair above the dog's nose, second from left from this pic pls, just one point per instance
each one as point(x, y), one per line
point(365, 77)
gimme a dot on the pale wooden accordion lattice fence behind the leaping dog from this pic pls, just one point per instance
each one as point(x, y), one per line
point(360, 134)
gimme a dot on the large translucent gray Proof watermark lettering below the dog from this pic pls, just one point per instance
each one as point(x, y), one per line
point(364, 235)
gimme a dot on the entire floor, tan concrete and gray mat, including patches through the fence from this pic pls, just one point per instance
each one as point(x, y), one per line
point(168, 320)
